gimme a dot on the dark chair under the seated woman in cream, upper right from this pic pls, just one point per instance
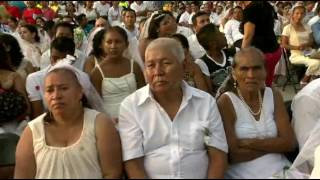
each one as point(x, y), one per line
point(294, 72)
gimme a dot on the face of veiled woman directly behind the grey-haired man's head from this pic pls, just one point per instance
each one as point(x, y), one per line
point(168, 26)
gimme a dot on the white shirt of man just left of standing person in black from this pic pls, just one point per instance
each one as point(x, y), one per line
point(231, 31)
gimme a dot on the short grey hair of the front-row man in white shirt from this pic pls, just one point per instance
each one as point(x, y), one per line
point(169, 44)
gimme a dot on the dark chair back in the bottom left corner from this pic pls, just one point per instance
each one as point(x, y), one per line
point(8, 143)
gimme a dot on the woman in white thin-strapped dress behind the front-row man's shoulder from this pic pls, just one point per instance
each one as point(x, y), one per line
point(115, 77)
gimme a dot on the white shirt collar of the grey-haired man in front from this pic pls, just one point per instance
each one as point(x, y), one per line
point(188, 93)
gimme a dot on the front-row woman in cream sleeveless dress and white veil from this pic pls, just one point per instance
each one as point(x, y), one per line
point(70, 141)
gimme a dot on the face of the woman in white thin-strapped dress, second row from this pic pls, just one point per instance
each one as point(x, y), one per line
point(113, 44)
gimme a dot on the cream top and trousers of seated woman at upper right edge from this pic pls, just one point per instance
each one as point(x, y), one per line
point(297, 56)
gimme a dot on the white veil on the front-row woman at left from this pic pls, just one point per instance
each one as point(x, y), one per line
point(93, 98)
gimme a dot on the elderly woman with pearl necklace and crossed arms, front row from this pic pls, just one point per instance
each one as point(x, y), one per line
point(255, 120)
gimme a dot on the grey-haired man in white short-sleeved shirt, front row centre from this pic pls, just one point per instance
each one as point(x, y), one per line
point(169, 129)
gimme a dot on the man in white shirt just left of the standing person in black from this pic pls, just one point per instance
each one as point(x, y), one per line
point(231, 29)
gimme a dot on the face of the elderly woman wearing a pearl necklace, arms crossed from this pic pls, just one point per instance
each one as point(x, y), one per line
point(250, 72)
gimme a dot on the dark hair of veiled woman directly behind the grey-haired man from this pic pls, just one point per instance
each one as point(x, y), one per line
point(155, 24)
